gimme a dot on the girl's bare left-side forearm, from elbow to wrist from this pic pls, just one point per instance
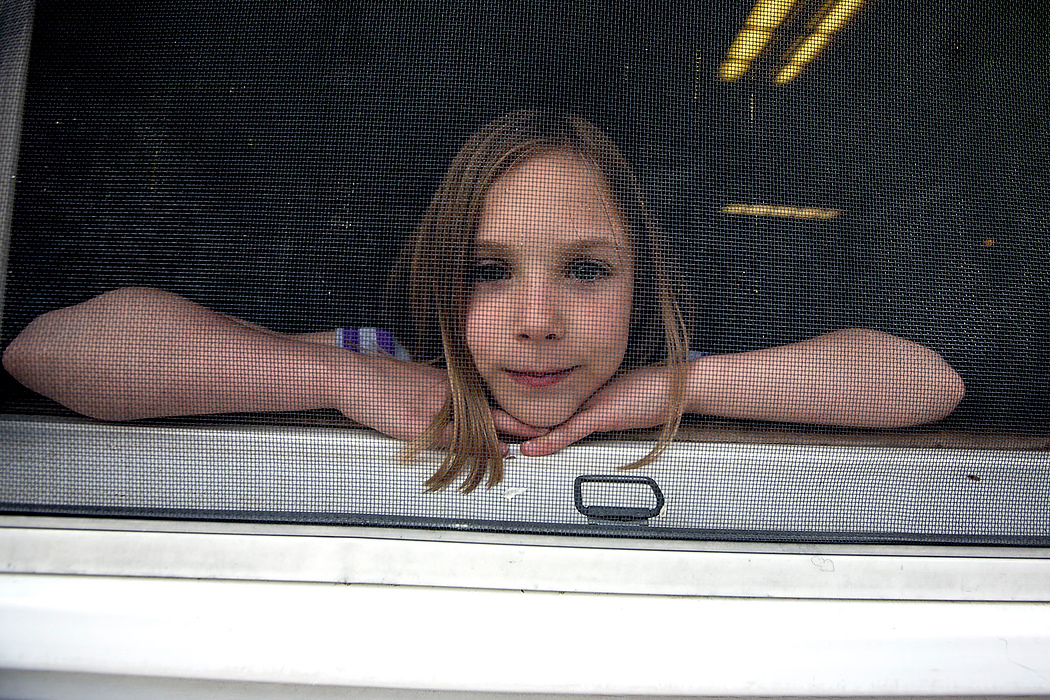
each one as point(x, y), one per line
point(143, 353)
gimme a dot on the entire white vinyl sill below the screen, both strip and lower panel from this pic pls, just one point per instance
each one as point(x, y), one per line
point(218, 608)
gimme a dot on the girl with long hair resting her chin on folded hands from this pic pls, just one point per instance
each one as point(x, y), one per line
point(542, 306)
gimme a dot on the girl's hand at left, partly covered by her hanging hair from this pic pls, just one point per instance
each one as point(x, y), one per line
point(401, 399)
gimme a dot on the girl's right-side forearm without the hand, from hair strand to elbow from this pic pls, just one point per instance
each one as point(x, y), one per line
point(856, 377)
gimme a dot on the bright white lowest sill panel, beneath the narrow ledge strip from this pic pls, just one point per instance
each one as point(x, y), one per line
point(389, 642)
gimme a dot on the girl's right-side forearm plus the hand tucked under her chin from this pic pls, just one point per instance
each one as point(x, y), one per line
point(855, 378)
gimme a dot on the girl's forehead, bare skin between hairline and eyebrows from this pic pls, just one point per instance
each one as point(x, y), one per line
point(559, 199)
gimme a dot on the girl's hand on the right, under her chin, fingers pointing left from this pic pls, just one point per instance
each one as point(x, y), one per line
point(636, 400)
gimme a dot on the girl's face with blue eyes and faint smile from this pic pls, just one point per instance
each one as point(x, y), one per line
point(549, 321)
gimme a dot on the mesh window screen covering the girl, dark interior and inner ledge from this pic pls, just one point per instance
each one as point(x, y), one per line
point(458, 265)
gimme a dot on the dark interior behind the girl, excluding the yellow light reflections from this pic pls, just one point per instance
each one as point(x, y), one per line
point(268, 161)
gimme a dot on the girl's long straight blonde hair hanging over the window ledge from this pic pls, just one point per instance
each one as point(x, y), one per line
point(435, 269)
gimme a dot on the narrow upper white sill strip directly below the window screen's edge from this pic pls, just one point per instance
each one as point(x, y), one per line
point(388, 557)
